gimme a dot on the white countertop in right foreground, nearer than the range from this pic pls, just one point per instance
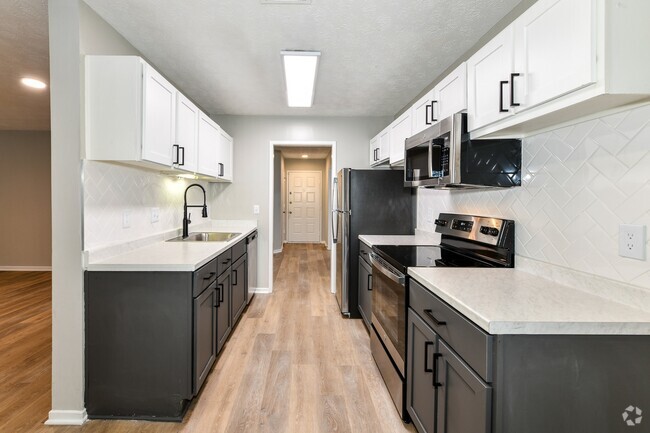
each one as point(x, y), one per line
point(509, 301)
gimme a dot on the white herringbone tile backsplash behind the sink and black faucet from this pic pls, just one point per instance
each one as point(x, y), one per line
point(111, 189)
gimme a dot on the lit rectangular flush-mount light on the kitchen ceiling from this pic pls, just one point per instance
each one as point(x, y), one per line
point(300, 76)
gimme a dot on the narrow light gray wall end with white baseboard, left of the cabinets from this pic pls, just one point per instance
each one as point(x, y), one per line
point(67, 272)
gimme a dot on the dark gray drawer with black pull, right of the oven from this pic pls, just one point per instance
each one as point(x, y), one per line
point(469, 341)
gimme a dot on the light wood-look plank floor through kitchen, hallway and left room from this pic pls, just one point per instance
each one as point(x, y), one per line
point(293, 364)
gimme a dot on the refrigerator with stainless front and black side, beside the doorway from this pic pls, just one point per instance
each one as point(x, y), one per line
point(366, 202)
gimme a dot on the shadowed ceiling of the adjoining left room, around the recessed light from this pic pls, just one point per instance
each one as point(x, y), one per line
point(24, 52)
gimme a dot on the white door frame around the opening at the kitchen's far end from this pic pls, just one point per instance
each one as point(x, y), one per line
point(333, 171)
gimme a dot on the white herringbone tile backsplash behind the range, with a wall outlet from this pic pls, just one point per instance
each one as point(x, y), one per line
point(579, 183)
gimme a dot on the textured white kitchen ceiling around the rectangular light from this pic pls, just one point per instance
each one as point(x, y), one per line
point(377, 55)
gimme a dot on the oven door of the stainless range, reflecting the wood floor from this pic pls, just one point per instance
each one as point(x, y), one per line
point(389, 309)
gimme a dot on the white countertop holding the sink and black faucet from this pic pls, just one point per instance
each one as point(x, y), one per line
point(173, 256)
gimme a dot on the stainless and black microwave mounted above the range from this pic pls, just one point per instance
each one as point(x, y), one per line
point(444, 156)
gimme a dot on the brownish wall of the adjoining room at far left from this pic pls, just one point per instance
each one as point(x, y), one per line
point(26, 219)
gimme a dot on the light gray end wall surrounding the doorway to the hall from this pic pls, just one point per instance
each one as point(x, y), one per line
point(252, 152)
